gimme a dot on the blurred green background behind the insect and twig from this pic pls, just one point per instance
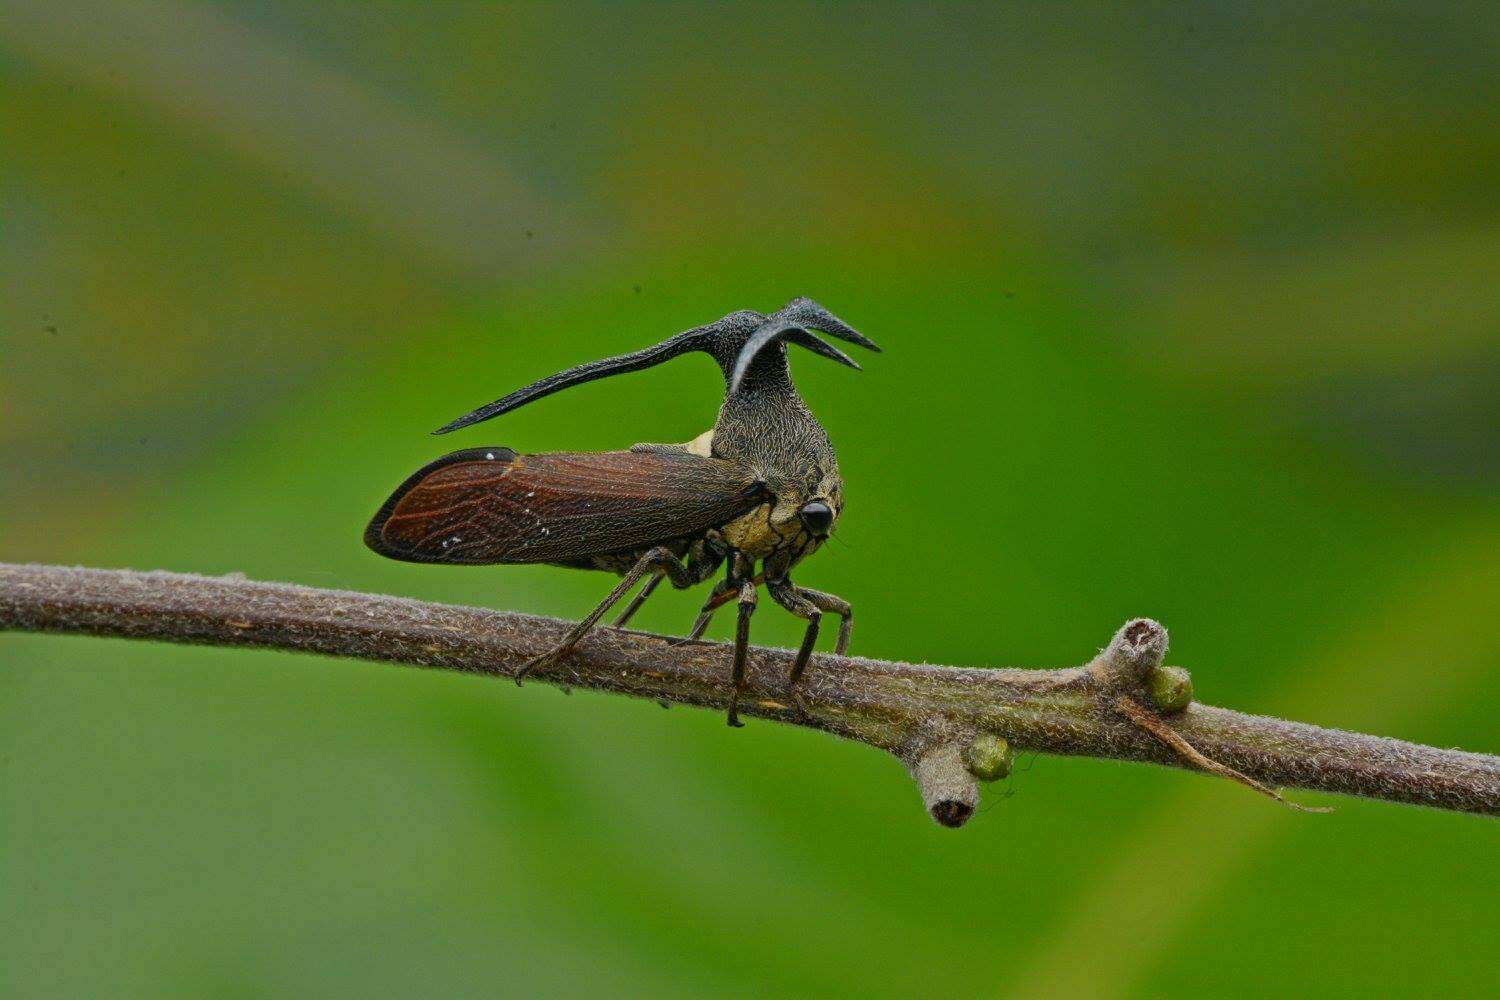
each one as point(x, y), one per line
point(1189, 313)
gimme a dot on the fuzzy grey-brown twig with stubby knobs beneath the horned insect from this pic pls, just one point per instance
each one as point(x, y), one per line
point(949, 726)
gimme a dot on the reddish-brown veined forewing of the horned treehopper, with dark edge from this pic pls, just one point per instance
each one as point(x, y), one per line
point(493, 506)
